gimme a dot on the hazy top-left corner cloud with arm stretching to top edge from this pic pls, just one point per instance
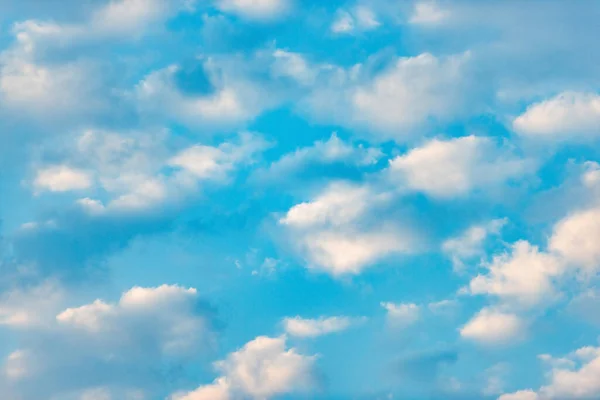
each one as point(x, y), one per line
point(34, 82)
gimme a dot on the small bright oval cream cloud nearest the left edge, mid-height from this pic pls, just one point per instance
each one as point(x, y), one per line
point(62, 178)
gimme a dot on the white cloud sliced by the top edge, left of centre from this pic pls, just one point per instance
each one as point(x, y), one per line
point(258, 10)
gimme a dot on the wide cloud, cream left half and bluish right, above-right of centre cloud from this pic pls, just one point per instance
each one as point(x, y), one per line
point(454, 167)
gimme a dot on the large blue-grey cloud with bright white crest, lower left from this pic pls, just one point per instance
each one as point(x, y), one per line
point(112, 345)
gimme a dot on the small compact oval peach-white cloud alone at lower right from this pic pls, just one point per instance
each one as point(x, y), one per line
point(491, 327)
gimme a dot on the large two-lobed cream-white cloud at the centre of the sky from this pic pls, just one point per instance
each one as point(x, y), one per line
point(332, 232)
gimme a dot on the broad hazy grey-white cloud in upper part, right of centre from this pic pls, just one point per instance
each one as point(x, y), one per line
point(393, 103)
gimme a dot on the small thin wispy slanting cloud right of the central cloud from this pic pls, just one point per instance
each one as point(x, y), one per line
point(469, 244)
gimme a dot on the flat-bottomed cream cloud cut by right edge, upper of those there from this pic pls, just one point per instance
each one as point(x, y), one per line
point(569, 115)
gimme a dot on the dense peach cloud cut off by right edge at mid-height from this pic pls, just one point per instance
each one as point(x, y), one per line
point(576, 238)
